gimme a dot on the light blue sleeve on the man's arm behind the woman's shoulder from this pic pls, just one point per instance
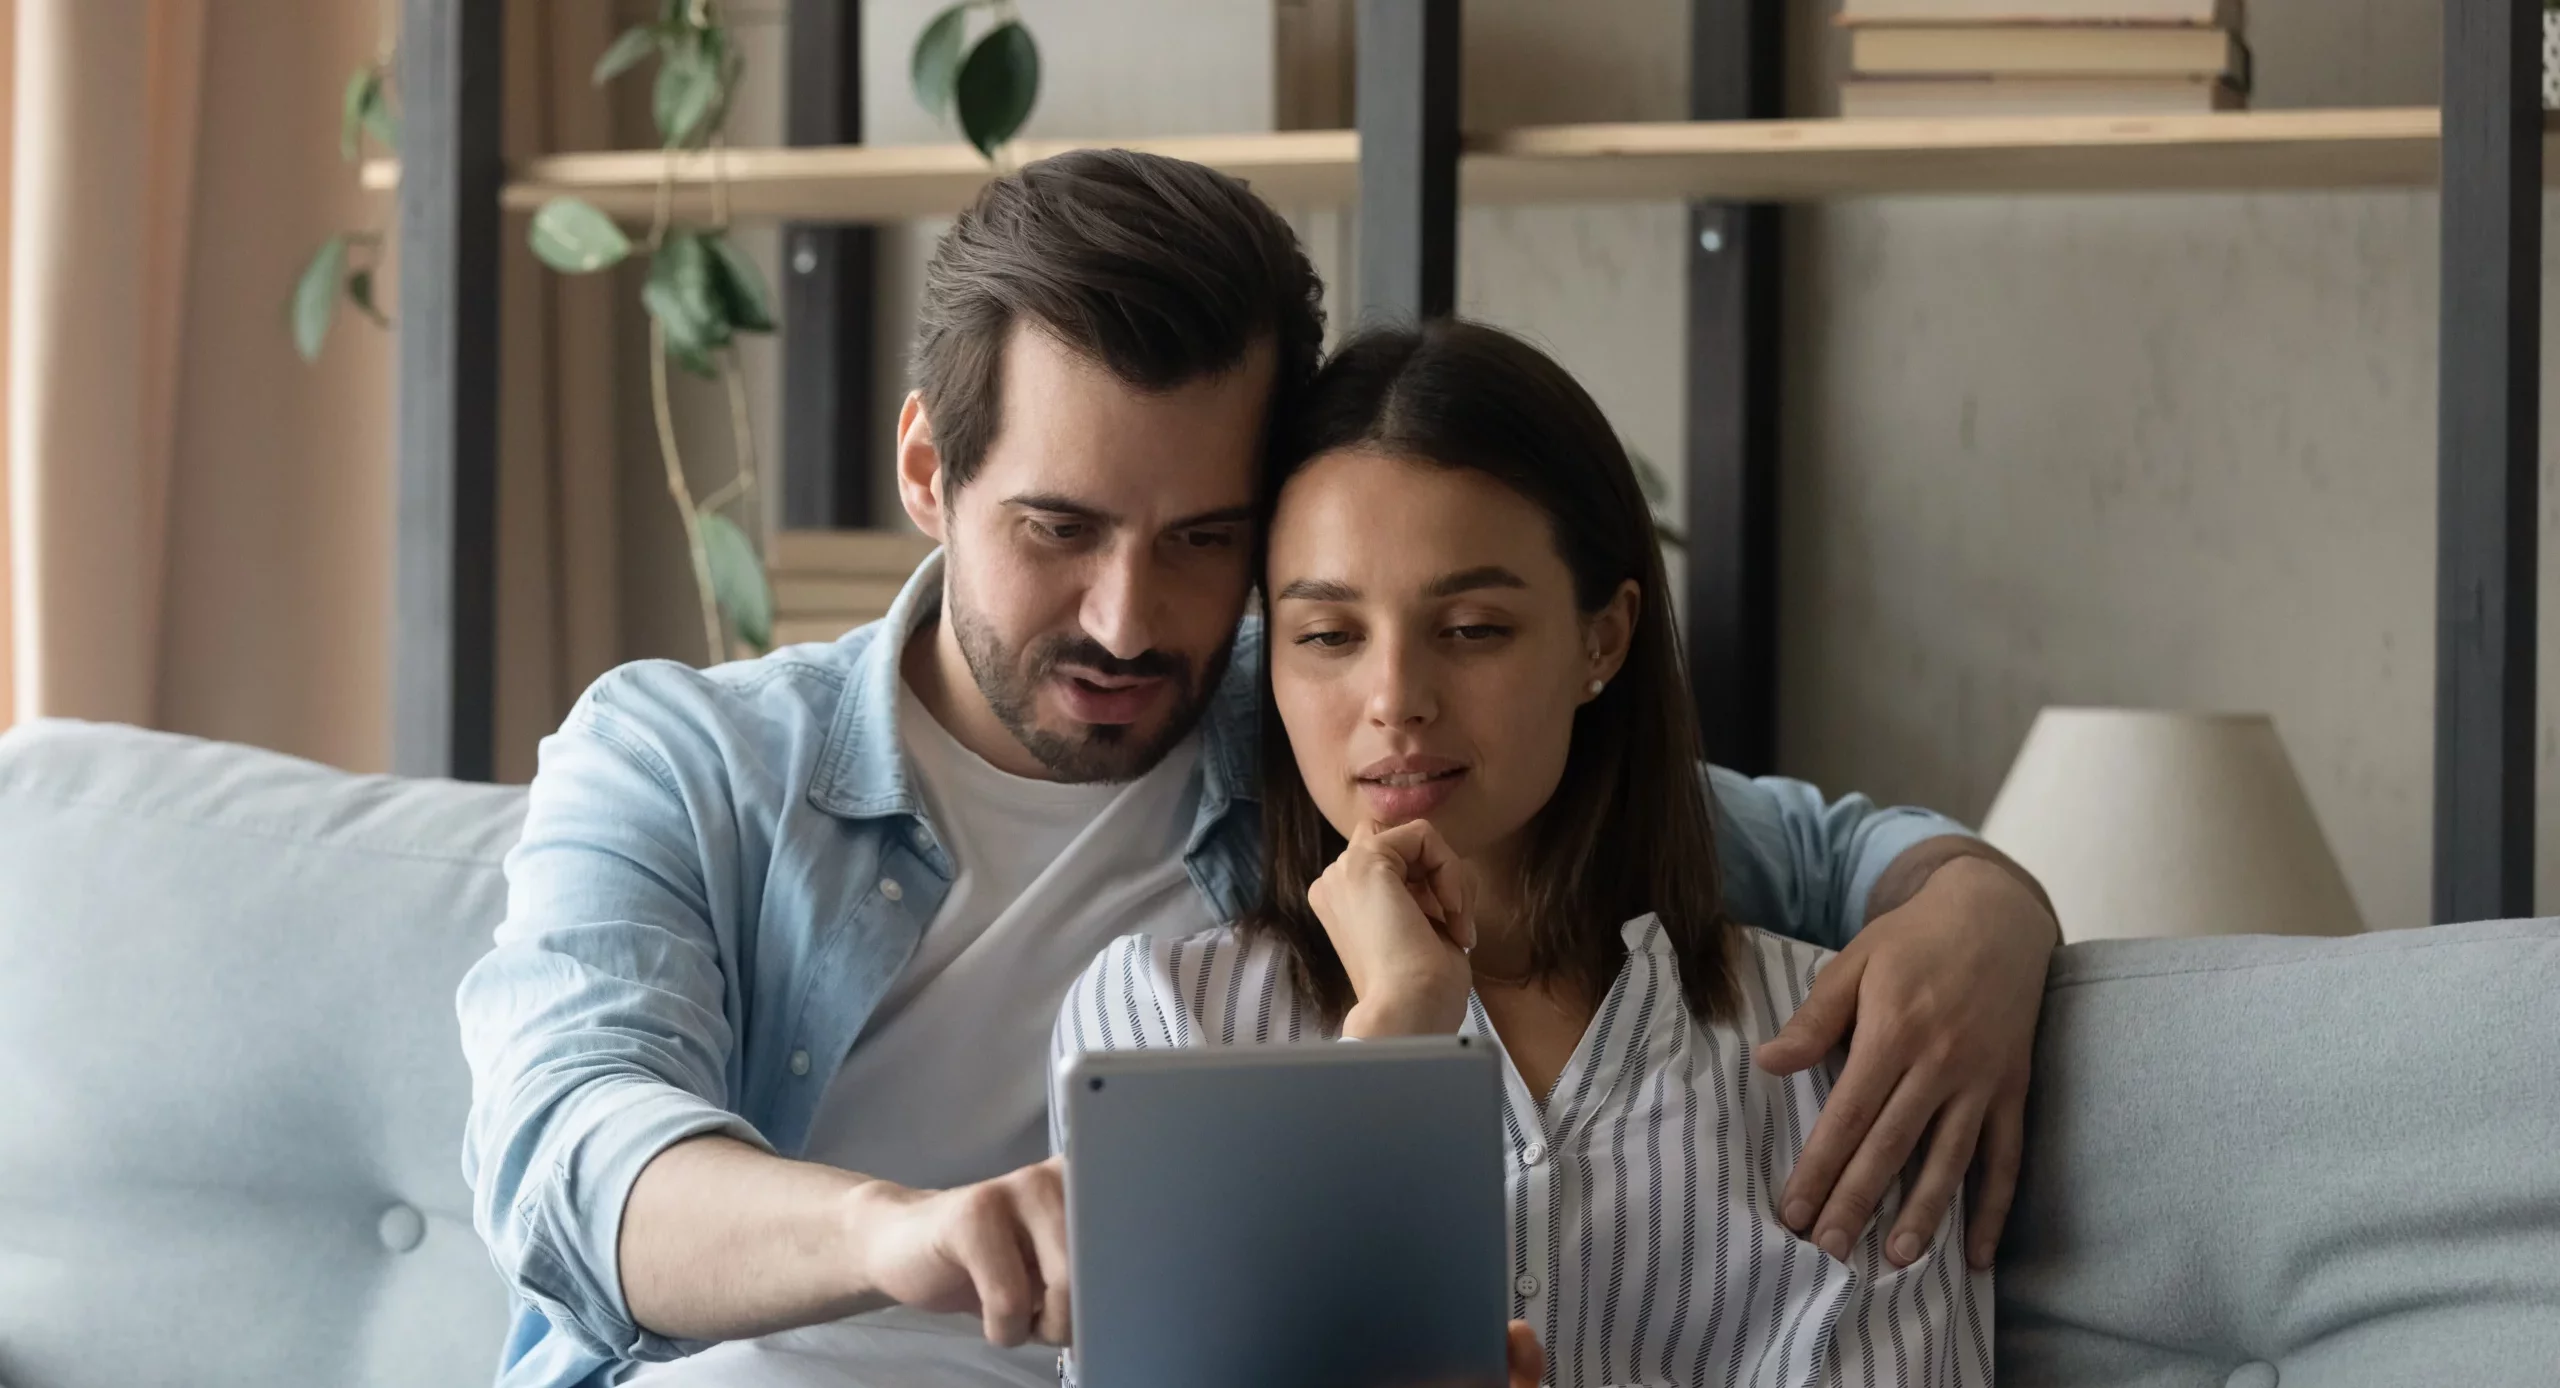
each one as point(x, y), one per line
point(1801, 864)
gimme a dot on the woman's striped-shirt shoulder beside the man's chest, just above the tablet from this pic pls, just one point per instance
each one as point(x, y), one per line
point(1217, 987)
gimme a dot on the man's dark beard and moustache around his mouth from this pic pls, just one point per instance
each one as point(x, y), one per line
point(1105, 752)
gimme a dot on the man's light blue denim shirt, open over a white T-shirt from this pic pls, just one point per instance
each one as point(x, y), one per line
point(726, 869)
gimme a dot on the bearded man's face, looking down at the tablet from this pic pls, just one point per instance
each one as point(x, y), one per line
point(1102, 554)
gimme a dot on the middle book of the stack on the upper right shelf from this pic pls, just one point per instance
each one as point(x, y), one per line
point(2049, 52)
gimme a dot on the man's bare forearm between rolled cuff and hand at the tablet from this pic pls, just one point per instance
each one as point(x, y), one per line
point(723, 1241)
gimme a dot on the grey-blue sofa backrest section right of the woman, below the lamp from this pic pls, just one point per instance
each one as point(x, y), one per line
point(2292, 1161)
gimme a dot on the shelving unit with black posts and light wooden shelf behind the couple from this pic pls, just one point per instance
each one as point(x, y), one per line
point(1734, 165)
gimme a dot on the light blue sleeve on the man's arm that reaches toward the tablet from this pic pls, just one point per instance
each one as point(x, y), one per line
point(595, 1028)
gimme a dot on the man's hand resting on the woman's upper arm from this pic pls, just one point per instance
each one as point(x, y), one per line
point(1939, 1005)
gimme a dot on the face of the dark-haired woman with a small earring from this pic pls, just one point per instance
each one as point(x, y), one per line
point(1425, 649)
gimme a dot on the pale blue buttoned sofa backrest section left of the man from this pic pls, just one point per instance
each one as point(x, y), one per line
point(232, 1090)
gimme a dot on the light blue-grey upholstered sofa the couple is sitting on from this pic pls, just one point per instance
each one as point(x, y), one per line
point(232, 1105)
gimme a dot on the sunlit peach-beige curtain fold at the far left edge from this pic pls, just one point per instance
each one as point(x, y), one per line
point(101, 198)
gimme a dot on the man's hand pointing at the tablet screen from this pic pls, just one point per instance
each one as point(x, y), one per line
point(997, 1248)
